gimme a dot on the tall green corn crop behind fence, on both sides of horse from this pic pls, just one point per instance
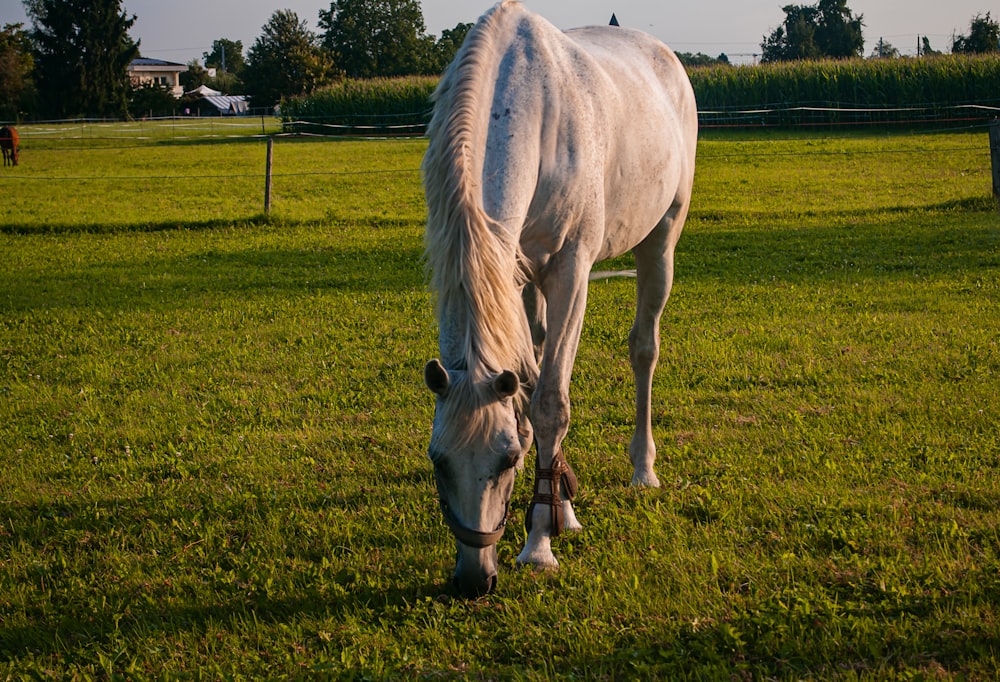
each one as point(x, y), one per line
point(924, 91)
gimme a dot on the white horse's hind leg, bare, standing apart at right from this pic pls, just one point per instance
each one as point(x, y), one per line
point(654, 259)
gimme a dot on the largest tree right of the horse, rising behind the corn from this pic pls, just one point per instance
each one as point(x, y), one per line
point(825, 30)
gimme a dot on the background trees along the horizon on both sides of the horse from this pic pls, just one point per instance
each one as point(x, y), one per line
point(73, 60)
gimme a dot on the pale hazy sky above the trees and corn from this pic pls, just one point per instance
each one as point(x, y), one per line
point(181, 30)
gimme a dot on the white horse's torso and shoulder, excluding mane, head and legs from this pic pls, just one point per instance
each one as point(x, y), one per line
point(591, 137)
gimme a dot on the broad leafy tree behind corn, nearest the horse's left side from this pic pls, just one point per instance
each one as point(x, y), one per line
point(369, 38)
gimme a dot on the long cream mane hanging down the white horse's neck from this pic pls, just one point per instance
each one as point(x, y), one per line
point(474, 261)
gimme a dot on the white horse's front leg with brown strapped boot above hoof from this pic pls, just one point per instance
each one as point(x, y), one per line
point(551, 510)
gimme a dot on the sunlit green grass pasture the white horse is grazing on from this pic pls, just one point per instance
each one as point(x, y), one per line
point(213, 425)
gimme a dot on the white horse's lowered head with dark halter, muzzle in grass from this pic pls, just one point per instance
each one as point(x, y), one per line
point(478, 442)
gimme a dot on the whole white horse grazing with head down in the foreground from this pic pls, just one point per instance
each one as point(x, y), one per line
point(549, 152)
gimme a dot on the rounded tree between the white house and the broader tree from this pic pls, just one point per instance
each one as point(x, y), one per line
point(285, 60)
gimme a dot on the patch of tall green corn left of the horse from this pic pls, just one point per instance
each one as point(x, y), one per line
point(374, 102)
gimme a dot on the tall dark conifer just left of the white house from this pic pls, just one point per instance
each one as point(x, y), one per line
point(82, 54)
